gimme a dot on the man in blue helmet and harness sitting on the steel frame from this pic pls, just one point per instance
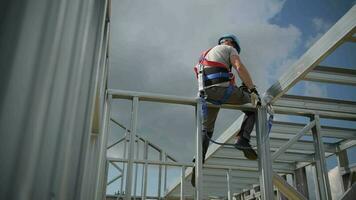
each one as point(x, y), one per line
point(219, 86)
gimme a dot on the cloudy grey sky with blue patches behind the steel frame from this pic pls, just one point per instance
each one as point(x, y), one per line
point(155, 44)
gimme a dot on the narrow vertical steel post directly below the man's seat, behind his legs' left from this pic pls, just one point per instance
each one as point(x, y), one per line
point(198, 153)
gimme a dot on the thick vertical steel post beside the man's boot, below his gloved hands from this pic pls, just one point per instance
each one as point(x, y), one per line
point(264, 161)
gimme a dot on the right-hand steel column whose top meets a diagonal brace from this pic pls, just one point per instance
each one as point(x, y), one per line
point(320, 163)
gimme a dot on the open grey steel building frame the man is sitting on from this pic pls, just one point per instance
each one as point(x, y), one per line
point(282, 152)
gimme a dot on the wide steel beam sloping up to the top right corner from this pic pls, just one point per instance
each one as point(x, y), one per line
point(321, 49)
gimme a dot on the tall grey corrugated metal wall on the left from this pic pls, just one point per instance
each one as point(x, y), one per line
point(53, 66)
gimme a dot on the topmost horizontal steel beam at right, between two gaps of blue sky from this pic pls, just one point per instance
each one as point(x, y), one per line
point(332, 75)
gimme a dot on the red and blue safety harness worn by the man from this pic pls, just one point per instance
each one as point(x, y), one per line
point(213, 73)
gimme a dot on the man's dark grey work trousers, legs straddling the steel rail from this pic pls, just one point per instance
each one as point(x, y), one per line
point(238, 97)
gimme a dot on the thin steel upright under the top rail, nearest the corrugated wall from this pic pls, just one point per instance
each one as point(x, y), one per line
point(131, 148)
